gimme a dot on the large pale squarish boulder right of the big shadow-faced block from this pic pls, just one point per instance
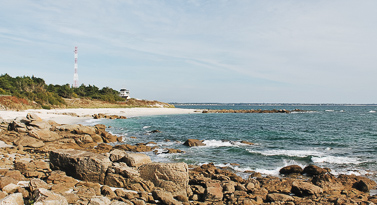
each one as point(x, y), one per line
point(172, 177)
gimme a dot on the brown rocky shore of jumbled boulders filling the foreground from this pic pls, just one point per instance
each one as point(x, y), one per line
point(43, 162)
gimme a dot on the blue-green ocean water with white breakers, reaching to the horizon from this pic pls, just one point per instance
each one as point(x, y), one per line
point(343, 138)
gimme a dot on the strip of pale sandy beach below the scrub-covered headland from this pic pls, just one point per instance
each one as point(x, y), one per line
point(85, 114)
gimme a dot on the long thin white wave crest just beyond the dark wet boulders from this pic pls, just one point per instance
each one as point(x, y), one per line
point(290, 153)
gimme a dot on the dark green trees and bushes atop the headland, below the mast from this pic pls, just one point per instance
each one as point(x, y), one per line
point(35, 89)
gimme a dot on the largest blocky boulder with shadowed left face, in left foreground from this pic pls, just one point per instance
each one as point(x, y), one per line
point(81, 165)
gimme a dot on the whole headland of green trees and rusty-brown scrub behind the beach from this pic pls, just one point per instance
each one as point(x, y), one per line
point(32, 92)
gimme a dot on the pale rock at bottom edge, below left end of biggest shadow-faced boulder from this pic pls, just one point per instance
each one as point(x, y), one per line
point(46, 197)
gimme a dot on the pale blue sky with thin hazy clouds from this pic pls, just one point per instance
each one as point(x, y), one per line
point(226, 51)
